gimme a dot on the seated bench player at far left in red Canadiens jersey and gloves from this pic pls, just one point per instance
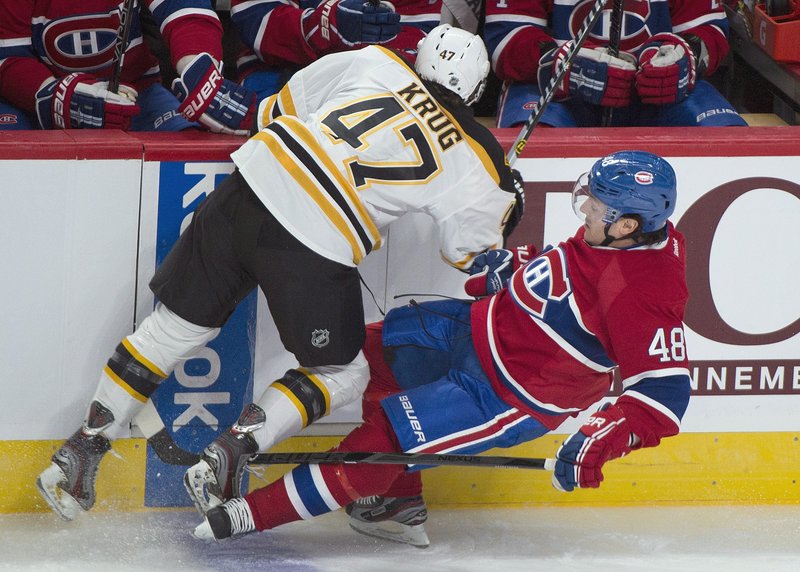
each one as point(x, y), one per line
point(56, 58)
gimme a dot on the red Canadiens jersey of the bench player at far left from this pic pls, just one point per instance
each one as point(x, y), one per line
point(44, 38)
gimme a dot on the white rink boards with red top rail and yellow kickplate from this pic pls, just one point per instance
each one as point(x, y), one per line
point(87, 216)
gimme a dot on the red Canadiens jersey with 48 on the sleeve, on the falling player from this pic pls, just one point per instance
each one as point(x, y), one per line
point(550, 341)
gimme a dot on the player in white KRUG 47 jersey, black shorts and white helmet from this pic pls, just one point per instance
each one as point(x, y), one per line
point(351, 143)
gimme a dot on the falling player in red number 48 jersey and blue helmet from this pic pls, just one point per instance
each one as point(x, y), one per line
point(455, 377)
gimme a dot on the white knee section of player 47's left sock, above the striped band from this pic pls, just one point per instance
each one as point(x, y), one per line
point(164, 339)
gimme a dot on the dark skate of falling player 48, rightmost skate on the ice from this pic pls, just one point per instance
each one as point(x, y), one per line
point(400, 519)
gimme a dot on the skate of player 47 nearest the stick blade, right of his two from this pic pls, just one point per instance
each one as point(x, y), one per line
point(217, 477)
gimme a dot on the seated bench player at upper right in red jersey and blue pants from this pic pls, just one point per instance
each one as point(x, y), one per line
point(666, 49)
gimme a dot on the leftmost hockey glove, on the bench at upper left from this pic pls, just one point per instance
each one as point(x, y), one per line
point(81, 101)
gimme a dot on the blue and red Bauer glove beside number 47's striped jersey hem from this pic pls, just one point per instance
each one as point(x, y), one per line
point(213, 101)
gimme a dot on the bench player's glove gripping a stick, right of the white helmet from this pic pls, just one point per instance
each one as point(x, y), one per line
point(595, 76)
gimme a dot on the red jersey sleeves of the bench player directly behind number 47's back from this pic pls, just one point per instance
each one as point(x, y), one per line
point(271, 28)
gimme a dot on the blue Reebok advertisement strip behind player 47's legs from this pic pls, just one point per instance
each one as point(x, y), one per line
point(205, 394)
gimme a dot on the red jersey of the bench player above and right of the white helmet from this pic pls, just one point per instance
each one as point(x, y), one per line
point(514, 29)
